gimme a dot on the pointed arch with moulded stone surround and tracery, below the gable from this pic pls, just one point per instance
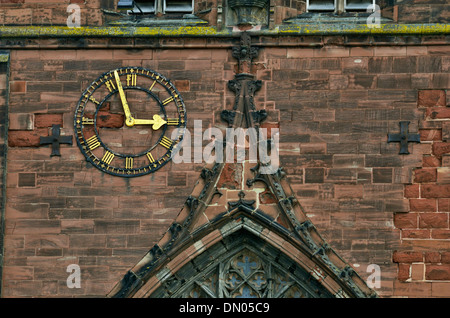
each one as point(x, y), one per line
point(242, 259)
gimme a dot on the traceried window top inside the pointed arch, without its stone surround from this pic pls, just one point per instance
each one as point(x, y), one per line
point(242, 266)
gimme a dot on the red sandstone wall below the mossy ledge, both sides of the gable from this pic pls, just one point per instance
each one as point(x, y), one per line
point(334, 107)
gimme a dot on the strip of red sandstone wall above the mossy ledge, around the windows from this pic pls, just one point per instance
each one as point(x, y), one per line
point(54, 12)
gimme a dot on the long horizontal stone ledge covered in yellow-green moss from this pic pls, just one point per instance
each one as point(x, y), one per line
point(208, 31)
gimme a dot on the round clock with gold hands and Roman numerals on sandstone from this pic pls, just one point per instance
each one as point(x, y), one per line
point(129, 121)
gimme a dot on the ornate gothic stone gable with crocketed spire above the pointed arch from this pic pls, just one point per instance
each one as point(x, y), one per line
point(242, 232)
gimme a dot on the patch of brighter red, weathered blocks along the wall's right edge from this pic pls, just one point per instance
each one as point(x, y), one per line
point(425, 230)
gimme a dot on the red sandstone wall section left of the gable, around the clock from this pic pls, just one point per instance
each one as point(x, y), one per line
point(63, 211)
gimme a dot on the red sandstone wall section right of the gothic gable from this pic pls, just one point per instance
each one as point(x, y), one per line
point(354, 185)
